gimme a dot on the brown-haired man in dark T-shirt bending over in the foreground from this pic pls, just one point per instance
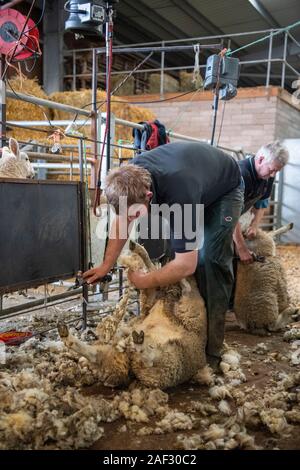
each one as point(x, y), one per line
point(182, 174)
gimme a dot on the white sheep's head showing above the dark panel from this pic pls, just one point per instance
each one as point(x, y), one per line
point(14, 163)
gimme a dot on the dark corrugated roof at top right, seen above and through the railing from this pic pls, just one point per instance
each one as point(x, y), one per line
point(156, 20)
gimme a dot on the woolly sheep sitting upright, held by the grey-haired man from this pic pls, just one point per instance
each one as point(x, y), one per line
point(261, 301)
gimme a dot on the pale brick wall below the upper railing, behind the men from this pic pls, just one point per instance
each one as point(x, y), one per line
point(256, 116)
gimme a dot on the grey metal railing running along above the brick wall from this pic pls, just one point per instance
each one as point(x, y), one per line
point(286, 39)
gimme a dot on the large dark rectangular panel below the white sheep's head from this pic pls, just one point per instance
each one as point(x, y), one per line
point(40, 232)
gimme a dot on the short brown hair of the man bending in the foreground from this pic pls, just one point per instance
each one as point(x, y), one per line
point(128, 180)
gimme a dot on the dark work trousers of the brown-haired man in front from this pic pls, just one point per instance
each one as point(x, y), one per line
point(214, 271)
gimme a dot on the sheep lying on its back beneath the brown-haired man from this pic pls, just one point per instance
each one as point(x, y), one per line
point(163, 347)
